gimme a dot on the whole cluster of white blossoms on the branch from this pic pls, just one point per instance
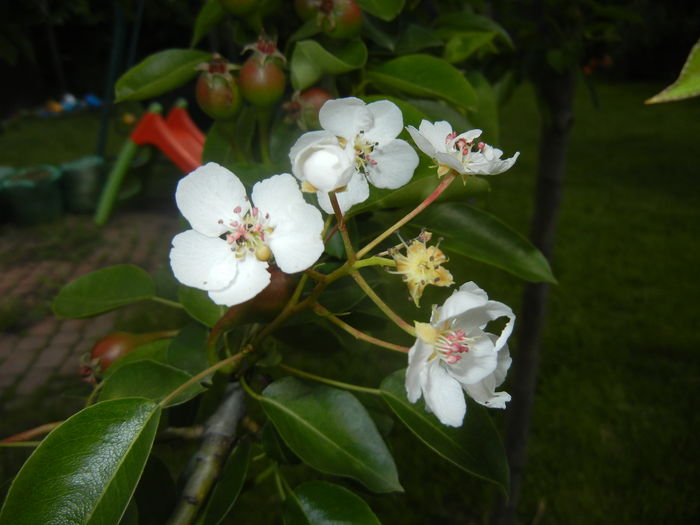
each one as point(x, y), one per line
point(233, 240)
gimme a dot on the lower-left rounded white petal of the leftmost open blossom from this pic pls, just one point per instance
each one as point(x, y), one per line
point(202, 262)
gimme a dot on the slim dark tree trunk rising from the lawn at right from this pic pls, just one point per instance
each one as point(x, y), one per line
point(555, 93)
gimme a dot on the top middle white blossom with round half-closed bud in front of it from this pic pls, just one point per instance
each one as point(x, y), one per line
point(357, 144)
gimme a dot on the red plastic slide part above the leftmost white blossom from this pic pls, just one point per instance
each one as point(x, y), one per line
point(177, 137)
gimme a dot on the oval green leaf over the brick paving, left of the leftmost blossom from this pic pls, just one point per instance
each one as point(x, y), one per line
point(104, 290)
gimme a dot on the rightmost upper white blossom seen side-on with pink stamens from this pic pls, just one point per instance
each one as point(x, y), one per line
point(459, 152)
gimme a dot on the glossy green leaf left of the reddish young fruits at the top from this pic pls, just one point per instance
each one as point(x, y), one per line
point(159, 73)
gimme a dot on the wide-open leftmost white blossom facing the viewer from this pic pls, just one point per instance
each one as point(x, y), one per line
point(231, 240)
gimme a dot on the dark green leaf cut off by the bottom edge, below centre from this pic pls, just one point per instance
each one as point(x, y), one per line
point(323, 503)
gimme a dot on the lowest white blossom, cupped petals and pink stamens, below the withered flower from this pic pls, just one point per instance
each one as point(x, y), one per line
point(453, 354)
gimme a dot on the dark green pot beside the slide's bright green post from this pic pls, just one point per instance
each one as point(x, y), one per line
point(81, 184)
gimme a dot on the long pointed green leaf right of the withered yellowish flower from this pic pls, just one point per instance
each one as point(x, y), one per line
point(480, 236)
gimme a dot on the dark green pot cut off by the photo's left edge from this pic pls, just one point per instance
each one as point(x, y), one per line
point(33, 194)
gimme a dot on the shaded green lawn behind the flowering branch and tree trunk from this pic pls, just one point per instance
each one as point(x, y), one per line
point(616, 407)
